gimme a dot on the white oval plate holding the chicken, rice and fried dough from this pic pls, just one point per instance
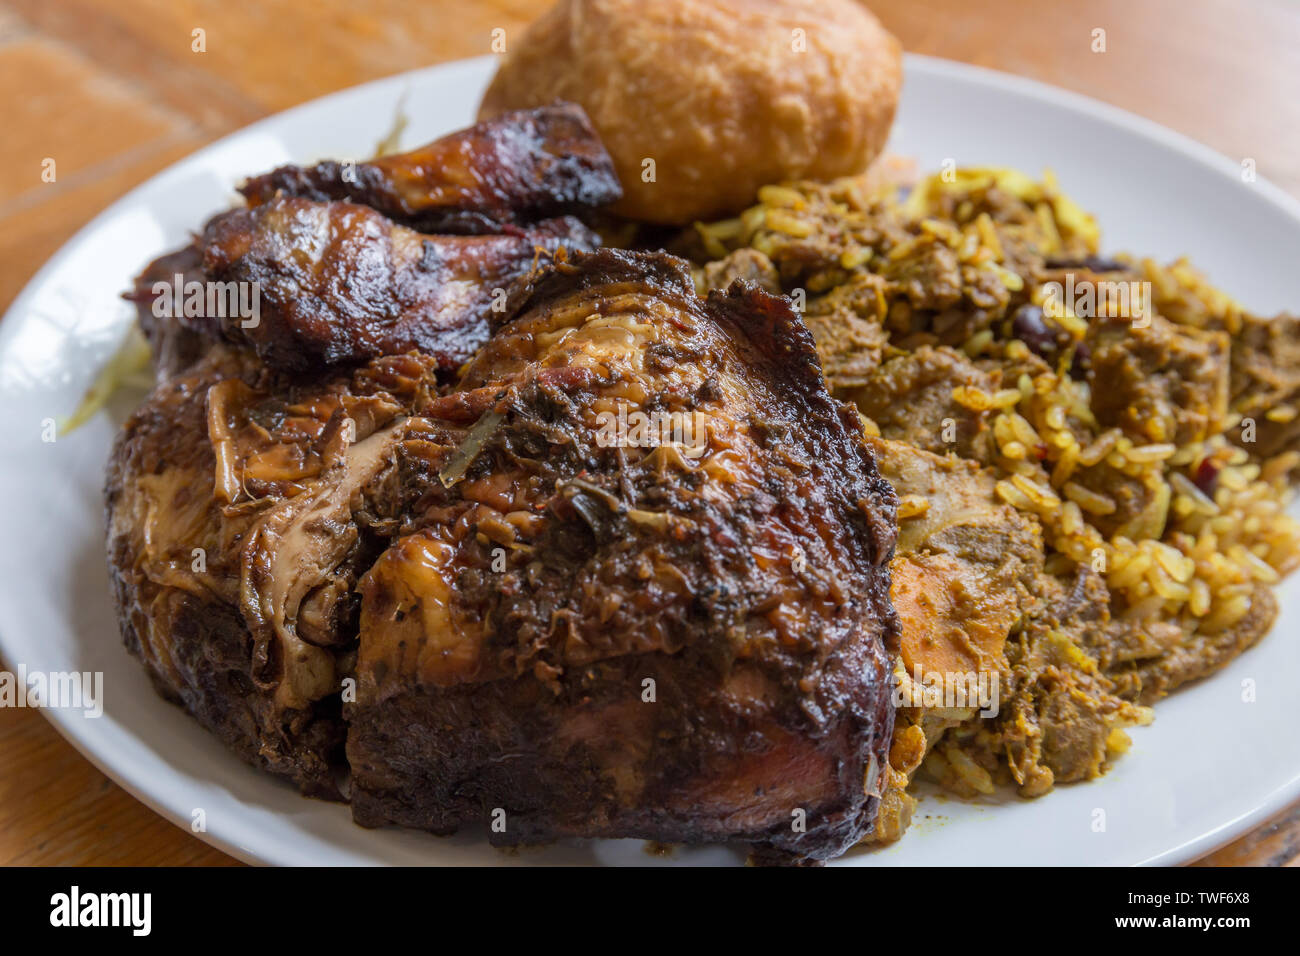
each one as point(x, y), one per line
point(1210, 768)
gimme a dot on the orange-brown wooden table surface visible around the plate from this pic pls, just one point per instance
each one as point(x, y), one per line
point(114, 92)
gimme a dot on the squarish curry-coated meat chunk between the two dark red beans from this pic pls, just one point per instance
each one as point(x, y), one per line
point(1162, 383)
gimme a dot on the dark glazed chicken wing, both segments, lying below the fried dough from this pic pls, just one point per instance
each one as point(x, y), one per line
point(413, 252)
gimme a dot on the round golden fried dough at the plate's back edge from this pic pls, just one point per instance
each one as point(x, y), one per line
point(701, 102)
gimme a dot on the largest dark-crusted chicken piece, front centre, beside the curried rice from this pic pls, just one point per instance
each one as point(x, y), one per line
point(623, 637)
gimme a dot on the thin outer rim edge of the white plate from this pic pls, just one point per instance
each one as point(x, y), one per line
point(226, 838)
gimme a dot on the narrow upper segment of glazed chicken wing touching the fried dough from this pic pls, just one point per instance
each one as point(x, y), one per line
point(518, 168)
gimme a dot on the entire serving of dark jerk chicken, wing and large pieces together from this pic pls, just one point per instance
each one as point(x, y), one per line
point(596, 559)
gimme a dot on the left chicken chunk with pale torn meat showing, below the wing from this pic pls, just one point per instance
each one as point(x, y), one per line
point(240, 516)
